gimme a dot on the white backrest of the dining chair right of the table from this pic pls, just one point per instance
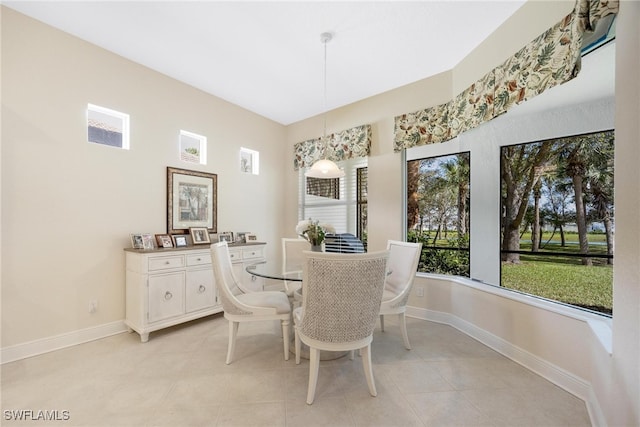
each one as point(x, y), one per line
point(402, 265)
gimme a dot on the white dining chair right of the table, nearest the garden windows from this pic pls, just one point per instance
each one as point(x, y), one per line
point(402, 266)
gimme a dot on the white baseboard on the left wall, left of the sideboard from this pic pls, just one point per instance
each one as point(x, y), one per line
point(45, 345)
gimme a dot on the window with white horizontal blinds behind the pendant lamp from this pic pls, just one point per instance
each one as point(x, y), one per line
point(340, 202)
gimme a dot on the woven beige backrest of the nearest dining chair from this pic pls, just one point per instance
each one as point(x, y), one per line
point(342, 295)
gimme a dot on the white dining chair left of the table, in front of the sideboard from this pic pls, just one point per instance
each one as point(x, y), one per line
point(246, 307)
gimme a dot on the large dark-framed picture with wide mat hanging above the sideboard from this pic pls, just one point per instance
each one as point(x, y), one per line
point(191, 201)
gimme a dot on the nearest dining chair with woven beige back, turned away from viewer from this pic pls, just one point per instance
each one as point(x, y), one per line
point(341, 295)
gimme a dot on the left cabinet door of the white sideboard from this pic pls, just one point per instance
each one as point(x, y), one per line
point(166, 296)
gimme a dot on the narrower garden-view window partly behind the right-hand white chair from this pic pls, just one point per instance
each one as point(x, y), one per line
point(438, 190)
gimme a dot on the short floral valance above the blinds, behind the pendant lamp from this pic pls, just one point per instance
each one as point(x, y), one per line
point(348, 144)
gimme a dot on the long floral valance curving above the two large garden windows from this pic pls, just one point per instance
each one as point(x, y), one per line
point(551, 59)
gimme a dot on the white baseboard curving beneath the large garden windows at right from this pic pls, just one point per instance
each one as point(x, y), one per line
point(560, 377)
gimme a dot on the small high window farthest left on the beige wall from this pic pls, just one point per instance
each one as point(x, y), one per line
point(107, 127)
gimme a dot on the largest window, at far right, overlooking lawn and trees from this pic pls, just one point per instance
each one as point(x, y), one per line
point(557, 220)
